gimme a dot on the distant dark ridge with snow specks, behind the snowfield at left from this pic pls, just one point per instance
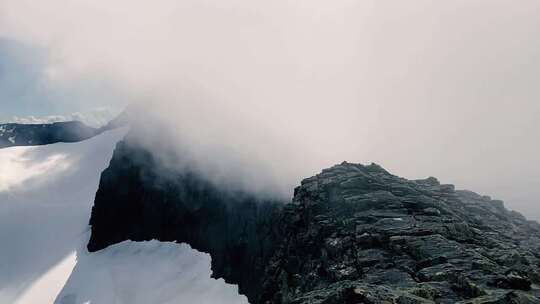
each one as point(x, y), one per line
point(14, 134)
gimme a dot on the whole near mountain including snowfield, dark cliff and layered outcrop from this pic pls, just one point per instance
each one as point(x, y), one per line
point(162, 233)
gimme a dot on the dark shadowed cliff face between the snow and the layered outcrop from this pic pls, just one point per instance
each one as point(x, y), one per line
point(139, 198)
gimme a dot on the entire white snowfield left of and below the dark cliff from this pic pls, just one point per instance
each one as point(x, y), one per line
point(46, 196)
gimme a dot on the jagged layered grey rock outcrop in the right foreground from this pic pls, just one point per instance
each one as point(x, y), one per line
point(358, 234)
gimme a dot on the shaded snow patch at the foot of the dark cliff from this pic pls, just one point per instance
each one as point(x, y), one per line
point(146, 272)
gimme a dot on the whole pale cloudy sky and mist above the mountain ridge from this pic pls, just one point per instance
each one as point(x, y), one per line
point(276, 90)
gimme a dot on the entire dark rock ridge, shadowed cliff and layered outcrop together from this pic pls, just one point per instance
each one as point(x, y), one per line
point(353, 234)
